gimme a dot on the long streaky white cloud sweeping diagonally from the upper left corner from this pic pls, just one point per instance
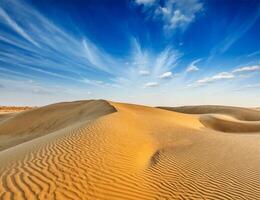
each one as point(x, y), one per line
point(46, 47)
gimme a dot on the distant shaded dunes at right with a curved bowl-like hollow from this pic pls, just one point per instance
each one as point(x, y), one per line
point(224, 118)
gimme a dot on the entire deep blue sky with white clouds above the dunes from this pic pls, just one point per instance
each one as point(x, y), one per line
point(153, 52)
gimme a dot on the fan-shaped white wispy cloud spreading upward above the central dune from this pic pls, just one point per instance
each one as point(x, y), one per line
point(145, 66)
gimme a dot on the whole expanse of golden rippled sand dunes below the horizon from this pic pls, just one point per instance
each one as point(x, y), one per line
point(105, 150)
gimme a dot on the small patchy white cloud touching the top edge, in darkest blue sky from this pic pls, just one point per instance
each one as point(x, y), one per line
point(174, 14)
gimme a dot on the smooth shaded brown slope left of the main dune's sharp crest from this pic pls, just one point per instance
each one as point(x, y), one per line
point(24, 126)
